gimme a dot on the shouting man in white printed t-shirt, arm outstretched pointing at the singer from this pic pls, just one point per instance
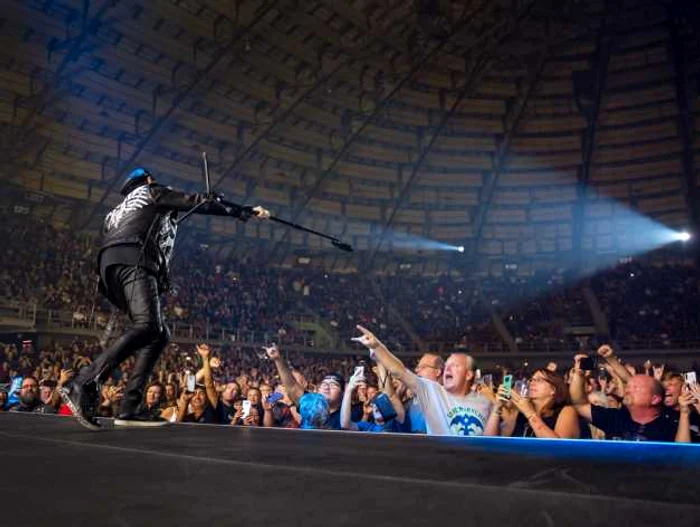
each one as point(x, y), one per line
point(450, 409)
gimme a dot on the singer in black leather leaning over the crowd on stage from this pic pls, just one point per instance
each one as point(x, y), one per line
point(133, 265)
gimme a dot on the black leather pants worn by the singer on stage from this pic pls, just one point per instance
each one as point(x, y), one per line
point(135, 292)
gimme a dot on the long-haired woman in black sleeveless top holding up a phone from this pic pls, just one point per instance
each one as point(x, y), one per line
point(544, 412)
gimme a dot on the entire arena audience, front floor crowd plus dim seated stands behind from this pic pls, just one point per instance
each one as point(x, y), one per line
point(596, 396)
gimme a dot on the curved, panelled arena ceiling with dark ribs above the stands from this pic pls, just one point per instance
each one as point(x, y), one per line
point(519, 129)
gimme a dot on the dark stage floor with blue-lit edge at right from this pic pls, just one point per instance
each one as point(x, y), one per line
point(56, 473)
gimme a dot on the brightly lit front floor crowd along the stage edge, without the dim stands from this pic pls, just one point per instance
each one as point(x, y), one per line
point(596, 396)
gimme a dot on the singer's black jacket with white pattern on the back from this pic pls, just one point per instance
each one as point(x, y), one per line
point(147, 219)
